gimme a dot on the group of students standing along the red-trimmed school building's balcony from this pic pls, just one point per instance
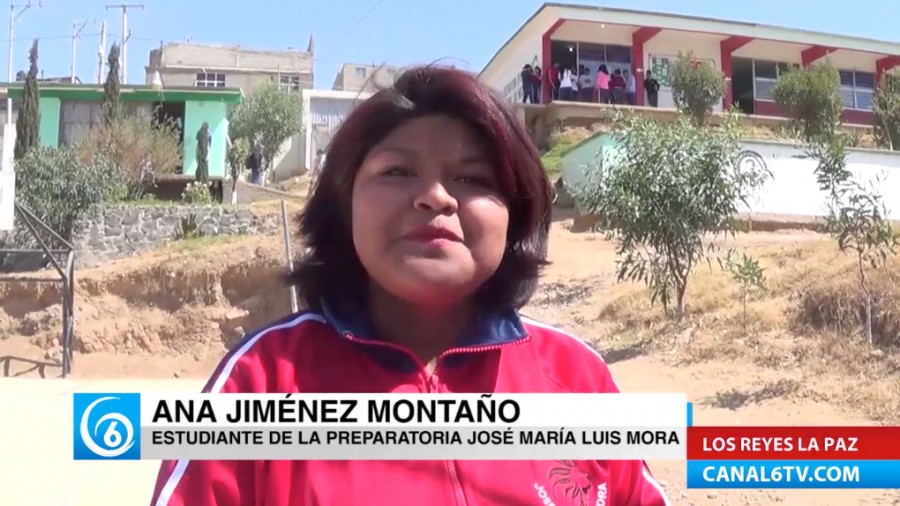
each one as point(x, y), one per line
point(573, 84)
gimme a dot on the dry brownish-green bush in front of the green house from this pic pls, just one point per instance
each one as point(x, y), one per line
point(142, 148)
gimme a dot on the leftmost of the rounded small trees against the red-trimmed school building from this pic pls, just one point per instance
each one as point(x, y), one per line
point(696, 86)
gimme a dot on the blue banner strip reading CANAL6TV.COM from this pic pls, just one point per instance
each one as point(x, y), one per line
point(834, 474)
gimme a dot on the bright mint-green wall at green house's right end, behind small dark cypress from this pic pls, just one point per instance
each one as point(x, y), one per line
point(195, 113)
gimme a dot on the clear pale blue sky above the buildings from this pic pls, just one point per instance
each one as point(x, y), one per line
point(380, 31)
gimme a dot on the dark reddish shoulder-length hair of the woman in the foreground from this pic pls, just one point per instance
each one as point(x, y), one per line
point(330, 268)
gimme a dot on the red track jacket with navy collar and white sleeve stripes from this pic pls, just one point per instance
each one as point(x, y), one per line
point(320, 353)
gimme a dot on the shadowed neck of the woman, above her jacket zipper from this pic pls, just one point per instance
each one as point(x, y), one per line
point(426, 331)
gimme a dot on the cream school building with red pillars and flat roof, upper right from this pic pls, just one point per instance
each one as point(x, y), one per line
point(751, 56)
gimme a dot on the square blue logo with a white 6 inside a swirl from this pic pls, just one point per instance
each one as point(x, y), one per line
point(107, 426)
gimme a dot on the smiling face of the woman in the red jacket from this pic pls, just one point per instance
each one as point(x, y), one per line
point(429, 224)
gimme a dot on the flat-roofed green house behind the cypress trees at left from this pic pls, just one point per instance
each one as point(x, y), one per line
point(68, 111)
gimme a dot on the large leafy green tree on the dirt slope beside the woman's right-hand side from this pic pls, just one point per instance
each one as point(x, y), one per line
point(667, 186)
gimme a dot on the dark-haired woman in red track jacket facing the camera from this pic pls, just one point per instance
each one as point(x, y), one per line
point(426, 232)
